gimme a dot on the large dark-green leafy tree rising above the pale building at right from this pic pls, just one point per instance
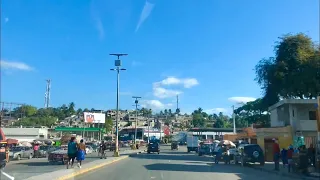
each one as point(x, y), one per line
point(293, 72)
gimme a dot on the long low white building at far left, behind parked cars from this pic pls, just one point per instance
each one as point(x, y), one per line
point(26, 134)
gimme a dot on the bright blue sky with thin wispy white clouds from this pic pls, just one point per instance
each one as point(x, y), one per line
point(205, 50)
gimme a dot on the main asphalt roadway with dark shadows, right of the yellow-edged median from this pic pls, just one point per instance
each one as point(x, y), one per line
point(175, 165)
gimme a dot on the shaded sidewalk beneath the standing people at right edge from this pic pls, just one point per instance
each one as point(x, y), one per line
point(269, 167)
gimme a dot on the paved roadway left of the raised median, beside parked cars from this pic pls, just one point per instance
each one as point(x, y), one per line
point(27, 168)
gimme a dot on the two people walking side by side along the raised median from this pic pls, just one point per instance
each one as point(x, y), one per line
point(76, 151)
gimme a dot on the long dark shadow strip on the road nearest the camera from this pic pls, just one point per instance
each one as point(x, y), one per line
point(196, 168)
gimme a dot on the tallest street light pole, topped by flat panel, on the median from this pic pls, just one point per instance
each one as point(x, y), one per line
point(117, 63)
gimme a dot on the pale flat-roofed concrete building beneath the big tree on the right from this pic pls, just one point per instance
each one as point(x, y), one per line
point(300, 114)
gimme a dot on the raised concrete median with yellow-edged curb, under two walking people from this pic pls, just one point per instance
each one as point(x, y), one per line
point(65, 174)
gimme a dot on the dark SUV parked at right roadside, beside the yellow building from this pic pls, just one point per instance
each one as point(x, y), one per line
point(249, 153)
